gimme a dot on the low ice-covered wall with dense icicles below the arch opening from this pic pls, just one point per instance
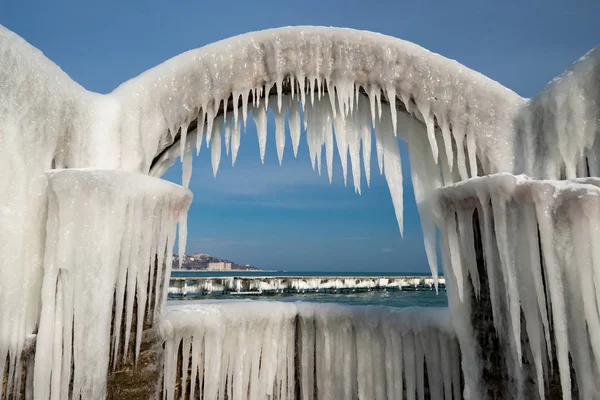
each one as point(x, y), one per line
point(273, 350)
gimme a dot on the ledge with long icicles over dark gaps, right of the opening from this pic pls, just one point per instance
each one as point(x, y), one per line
point(541, 263)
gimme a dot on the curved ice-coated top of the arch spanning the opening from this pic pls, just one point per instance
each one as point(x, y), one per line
point(157, 103)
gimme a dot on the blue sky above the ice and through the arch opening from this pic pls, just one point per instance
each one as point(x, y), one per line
point(288, 217)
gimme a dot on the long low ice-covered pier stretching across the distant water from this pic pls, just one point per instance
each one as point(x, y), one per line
point(269, 285)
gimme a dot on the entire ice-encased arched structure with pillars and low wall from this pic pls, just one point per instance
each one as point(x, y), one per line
point(86, 223)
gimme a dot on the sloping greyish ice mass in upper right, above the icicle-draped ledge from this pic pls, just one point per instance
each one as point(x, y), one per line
point(557, 131)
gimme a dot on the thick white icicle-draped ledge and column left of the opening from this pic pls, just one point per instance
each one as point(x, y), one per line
point(109, 234)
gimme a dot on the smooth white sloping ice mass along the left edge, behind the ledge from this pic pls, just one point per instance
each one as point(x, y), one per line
point(46, 121)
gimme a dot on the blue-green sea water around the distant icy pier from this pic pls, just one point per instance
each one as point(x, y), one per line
point(388, 298)
